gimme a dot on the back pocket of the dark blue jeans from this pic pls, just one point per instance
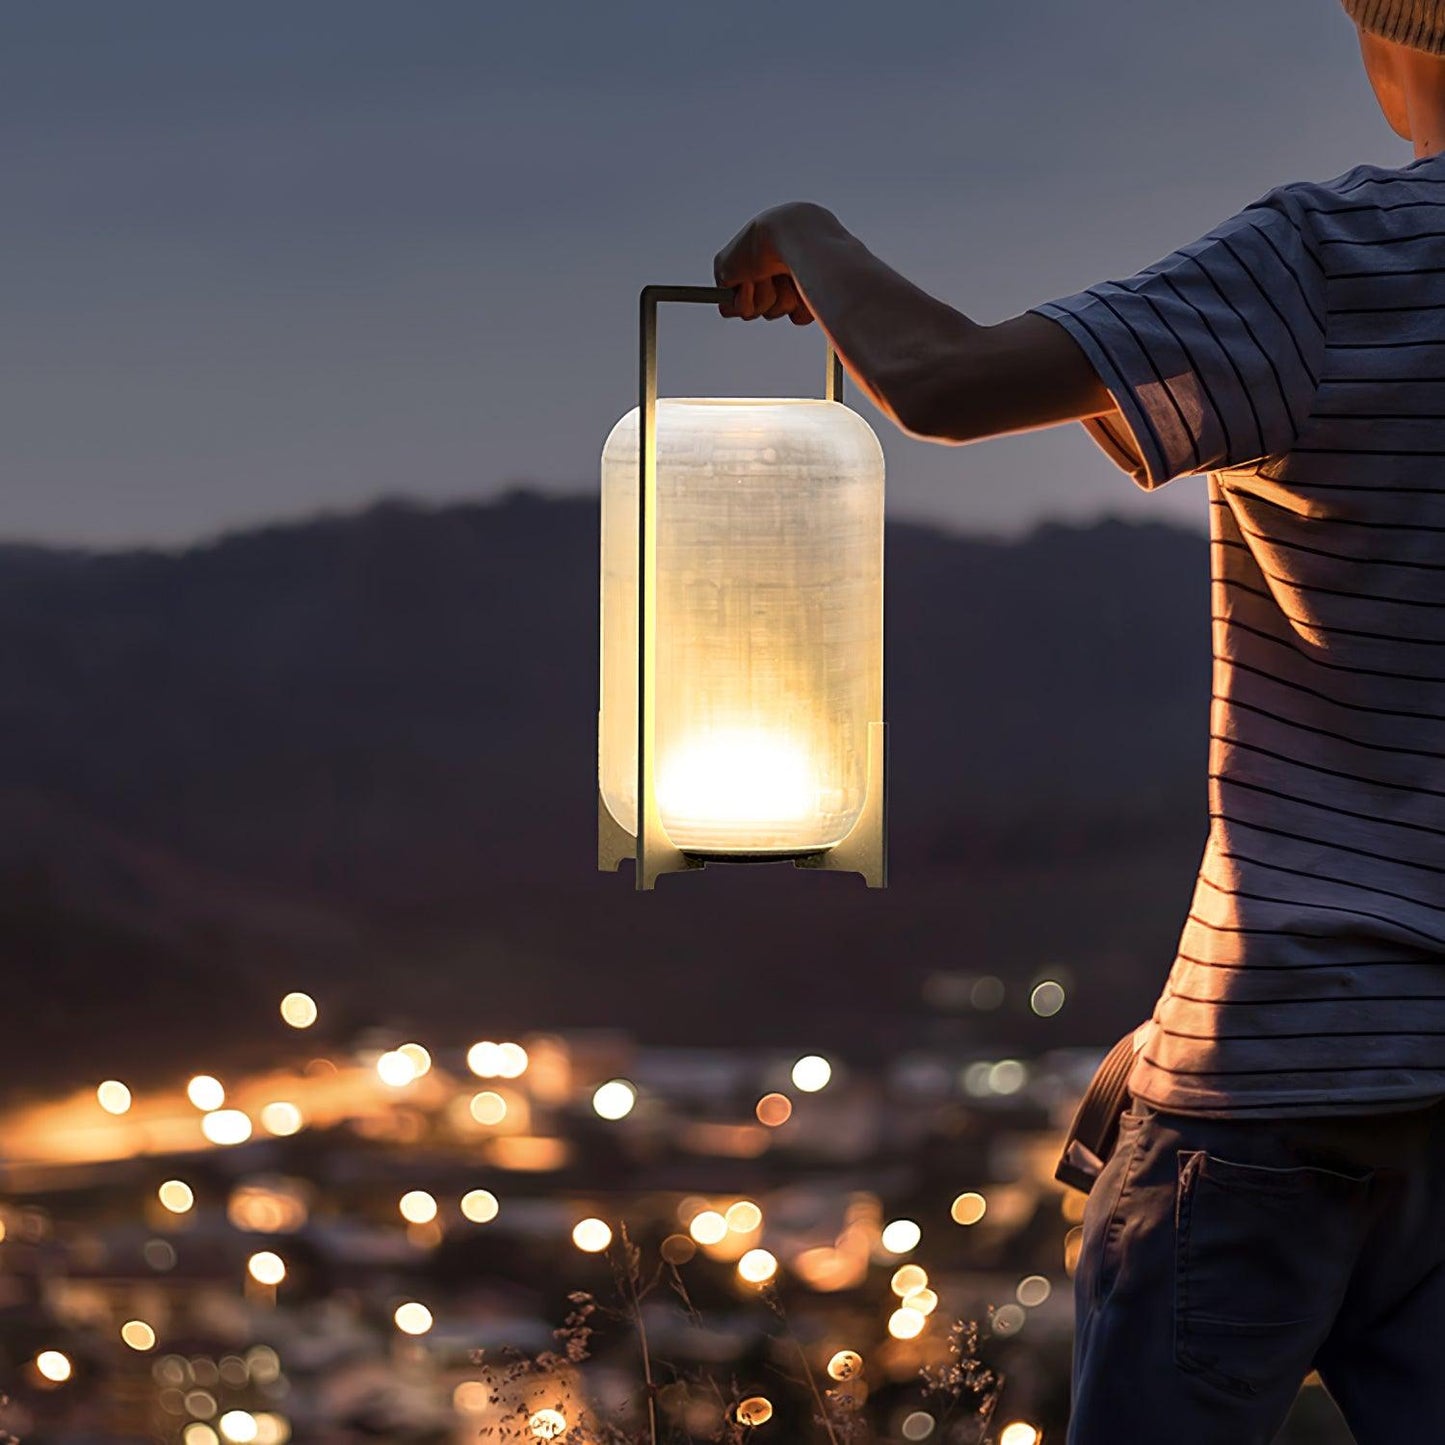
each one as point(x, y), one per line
point(1262, 1261)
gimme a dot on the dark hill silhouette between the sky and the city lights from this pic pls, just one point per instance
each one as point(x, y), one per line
point(358, 756)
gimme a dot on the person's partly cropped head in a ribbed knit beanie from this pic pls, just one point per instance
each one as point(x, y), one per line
point(1402, 44)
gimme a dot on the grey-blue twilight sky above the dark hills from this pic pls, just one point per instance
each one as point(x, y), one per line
point(269, 259)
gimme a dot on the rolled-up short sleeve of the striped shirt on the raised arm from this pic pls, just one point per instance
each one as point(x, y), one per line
point(1212, 356)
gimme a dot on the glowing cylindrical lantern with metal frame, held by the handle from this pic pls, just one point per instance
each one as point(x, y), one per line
point(742, 631)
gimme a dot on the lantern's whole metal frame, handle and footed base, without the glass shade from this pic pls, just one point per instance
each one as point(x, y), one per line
point(865, 849)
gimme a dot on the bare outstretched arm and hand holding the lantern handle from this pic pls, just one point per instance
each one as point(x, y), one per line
point(927, 366)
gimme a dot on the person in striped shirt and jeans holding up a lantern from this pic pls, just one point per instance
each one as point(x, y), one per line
point(1277, 1199)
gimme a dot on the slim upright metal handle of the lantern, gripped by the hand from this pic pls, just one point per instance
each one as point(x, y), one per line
point(655, 850)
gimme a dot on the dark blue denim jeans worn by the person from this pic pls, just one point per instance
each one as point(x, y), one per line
point(1223, 1259)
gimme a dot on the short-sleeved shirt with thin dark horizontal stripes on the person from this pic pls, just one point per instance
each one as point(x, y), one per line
point(1297, 355)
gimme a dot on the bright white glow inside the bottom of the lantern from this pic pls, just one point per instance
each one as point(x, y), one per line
point(733, 778)
